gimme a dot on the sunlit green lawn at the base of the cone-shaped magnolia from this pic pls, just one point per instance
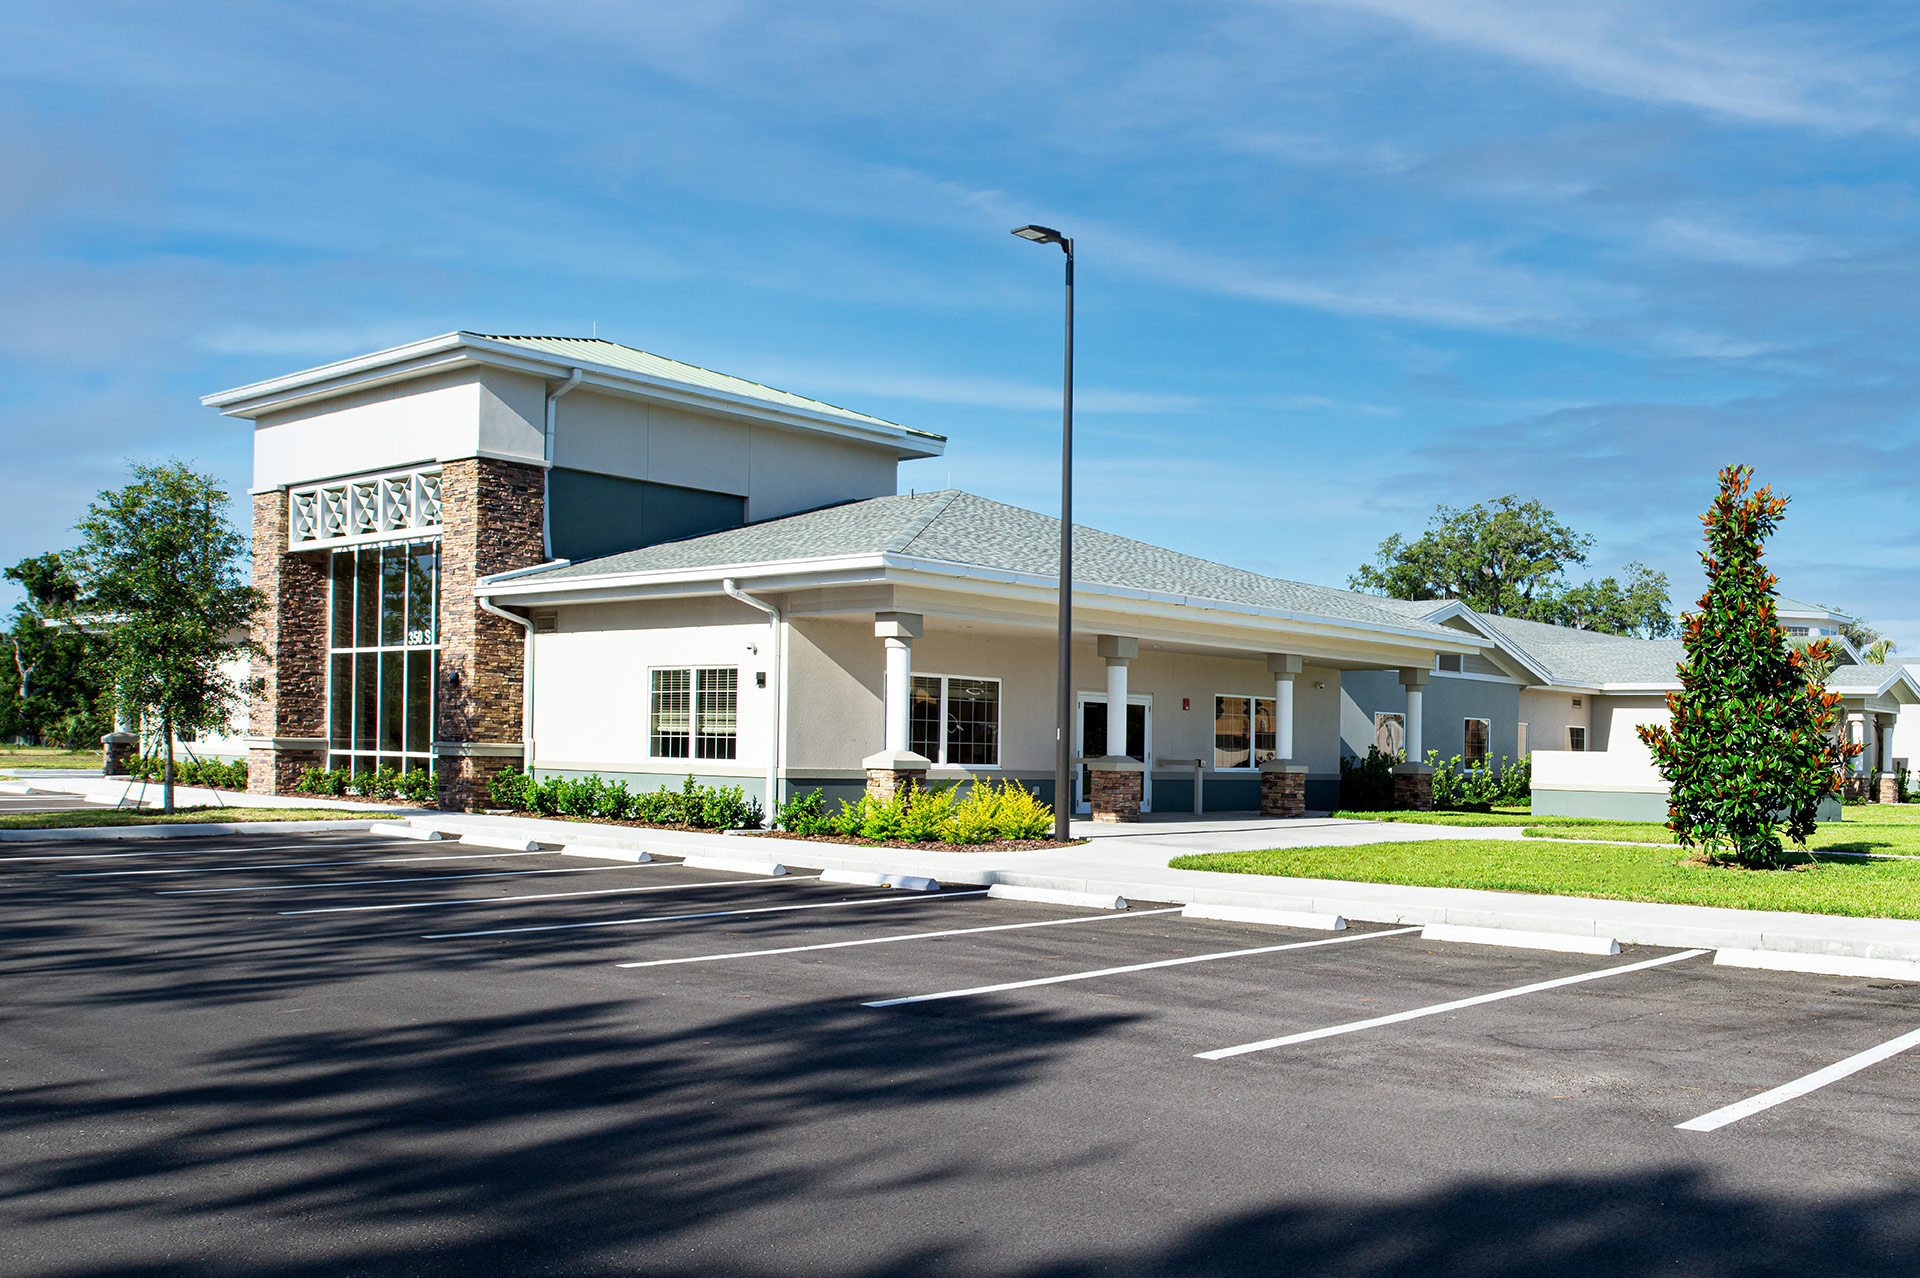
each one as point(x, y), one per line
point(1654, 874)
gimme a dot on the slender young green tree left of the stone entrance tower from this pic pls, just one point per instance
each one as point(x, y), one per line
point(160, 573)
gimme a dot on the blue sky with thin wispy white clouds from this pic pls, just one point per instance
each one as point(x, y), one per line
point(1339, 260)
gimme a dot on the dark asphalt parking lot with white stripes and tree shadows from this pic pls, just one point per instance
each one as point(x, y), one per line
point(320, 1054)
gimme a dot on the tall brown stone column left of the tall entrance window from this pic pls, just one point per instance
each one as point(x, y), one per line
point(289, 703)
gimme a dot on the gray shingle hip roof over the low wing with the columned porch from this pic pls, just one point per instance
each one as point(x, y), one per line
point(961, 529)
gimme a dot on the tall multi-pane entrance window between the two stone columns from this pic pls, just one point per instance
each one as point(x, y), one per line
point(383, 657)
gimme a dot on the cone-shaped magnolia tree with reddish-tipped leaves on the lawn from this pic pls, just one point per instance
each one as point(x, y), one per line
point(1752, 747)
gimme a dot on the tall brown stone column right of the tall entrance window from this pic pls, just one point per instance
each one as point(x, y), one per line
point(491, 517)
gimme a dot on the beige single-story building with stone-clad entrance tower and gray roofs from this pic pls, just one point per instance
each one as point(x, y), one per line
point(573, 557)
